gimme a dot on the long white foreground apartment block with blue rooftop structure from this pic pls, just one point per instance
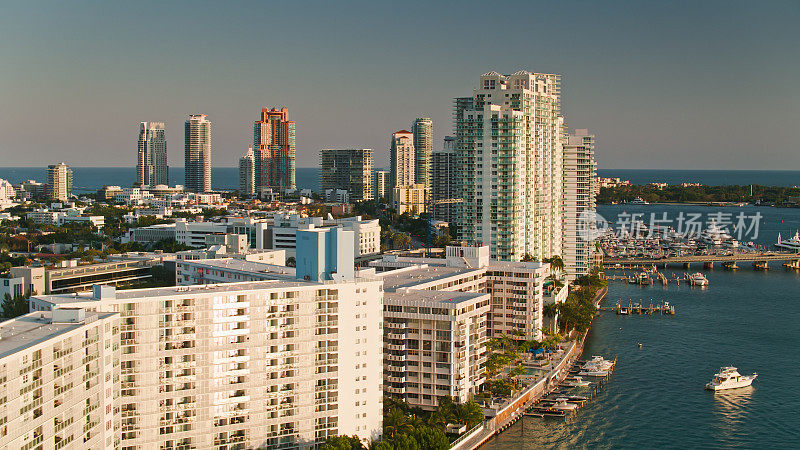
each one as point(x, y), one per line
point(285, 362)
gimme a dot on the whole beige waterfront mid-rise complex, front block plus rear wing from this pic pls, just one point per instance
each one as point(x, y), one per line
point(438, 314)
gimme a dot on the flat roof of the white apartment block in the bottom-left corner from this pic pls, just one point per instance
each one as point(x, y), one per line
point(28, 330)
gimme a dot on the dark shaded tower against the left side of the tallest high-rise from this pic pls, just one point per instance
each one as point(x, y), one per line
point(442, 180)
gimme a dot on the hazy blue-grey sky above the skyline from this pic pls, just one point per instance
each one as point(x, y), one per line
point(672, 84)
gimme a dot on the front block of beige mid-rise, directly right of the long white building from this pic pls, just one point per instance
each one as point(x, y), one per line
point(434, 345)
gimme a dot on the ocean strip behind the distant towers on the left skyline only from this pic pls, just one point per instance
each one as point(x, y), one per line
point(90, 179)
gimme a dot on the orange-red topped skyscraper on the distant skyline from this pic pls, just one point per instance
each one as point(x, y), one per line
point(273, 143)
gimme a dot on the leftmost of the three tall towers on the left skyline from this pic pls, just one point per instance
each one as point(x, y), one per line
point(151, 168)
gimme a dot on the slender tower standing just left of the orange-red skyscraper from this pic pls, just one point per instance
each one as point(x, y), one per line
point(198, 153)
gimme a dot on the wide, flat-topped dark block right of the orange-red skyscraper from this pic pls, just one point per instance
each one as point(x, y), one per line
point(349, 169)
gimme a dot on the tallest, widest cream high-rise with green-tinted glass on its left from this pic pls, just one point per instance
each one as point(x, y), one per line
point(509, 152)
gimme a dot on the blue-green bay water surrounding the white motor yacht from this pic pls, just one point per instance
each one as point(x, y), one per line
point(655, 398)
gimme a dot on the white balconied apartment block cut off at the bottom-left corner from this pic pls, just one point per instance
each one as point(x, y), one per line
point(60, 373)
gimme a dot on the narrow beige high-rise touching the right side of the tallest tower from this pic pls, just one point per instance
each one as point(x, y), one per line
point(580, 176)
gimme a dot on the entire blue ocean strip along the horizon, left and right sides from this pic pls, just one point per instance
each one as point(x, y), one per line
point(87, 179)
